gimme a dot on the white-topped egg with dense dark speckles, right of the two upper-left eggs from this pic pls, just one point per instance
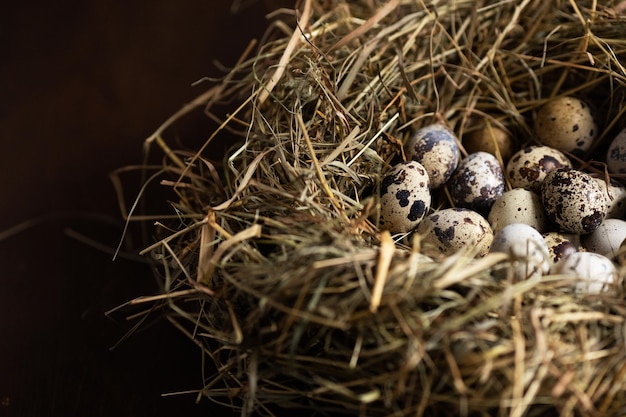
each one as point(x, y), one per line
point(477, 182)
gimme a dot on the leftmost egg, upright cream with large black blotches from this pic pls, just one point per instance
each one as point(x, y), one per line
point(404, 197)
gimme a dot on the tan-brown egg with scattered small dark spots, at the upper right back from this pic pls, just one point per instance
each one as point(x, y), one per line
point(566, 124)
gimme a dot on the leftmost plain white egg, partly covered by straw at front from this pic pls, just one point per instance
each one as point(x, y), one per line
point(527, 249)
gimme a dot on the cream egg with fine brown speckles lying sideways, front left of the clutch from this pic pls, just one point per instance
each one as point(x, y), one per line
point(450, 230)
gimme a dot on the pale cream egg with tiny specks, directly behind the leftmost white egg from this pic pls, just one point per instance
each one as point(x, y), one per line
point(518, 206)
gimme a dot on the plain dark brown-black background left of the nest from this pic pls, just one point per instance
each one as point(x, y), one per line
point(82, 83)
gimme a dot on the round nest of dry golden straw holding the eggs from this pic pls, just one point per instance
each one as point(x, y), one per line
point(272, 259)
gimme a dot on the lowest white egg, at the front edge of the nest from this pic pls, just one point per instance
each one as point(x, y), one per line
point(593, 272)
